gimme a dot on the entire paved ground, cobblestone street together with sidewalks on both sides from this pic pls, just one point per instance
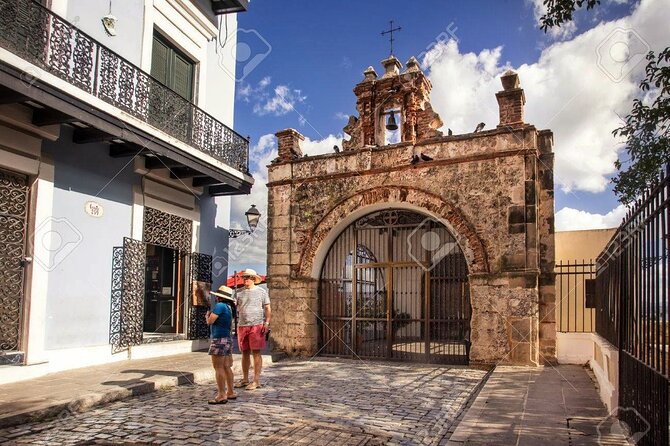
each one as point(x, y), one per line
point(319, 401)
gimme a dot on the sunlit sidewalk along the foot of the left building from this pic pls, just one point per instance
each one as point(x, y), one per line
point(79, 389)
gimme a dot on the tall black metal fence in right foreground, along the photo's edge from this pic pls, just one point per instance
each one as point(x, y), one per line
point(632, 301)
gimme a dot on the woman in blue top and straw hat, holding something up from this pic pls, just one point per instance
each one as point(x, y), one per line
point(220, 320)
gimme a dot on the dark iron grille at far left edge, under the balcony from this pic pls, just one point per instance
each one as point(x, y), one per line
point(13, 211)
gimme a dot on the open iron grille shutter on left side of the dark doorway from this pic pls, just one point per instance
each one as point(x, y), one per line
point(127, 307)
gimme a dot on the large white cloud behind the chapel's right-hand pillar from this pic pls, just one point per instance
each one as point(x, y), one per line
point(567, 90)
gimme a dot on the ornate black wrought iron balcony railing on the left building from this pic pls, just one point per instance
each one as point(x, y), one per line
point(46, 40)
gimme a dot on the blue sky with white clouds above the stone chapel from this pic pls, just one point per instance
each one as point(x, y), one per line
point(298, 61)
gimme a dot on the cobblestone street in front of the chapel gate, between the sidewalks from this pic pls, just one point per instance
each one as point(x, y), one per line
point(317, 402)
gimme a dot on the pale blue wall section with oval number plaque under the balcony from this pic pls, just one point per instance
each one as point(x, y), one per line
point(80, 281)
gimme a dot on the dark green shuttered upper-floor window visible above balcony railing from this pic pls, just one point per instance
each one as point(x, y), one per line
point(172, 68)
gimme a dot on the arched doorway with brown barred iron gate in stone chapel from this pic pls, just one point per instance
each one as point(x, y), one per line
point(403, 295)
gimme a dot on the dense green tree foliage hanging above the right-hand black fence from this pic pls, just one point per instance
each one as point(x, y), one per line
point(647, 132)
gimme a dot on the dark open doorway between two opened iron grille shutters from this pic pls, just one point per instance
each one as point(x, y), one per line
point(163, 303)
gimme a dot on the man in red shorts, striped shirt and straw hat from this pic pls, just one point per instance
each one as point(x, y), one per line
point(253, 311)
